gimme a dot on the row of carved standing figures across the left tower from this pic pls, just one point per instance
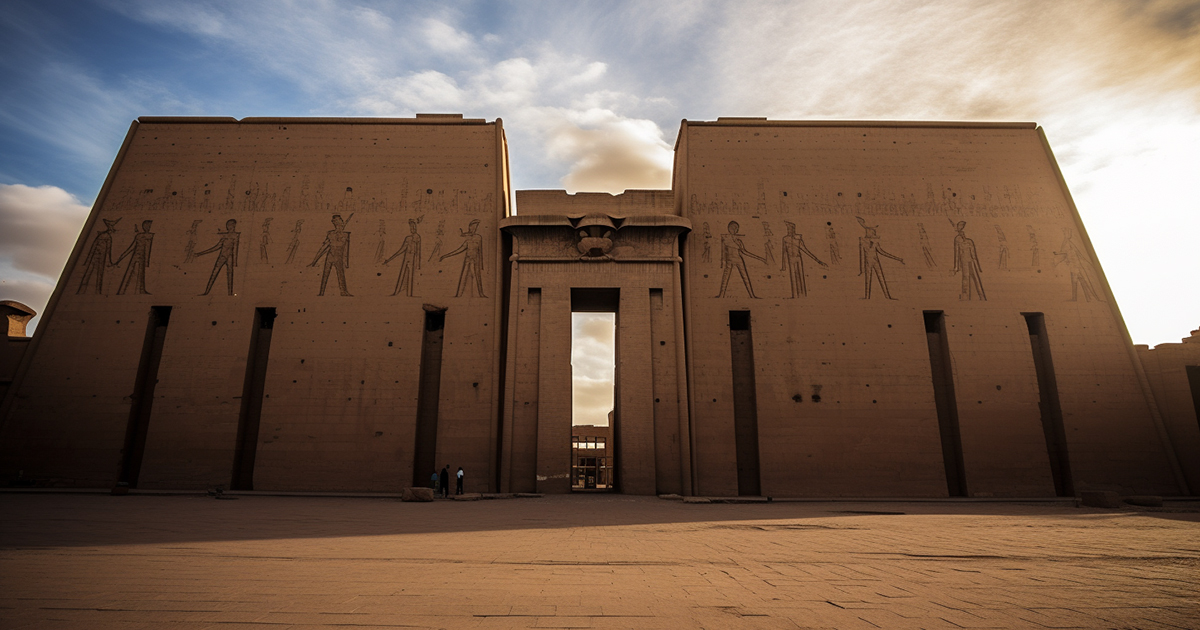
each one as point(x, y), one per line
point(334, 256)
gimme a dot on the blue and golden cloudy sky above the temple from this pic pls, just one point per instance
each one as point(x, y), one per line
point(592, 95)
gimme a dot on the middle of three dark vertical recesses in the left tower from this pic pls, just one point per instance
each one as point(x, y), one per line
point(253, 400)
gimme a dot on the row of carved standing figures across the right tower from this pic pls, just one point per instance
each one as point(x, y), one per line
point(872, 255)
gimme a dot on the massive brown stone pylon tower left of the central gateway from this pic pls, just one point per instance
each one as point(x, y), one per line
point(351, 231)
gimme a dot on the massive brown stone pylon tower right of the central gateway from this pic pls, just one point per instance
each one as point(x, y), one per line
point(839, 239)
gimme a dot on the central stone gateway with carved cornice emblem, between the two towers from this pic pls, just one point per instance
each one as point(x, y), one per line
point(595, 253)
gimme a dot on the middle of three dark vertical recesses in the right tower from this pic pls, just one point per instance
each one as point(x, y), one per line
point(947, 406)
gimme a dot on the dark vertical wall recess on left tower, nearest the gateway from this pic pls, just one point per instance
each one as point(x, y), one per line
point(430, 391)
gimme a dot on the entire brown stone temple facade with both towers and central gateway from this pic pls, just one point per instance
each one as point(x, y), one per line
point(815, 309)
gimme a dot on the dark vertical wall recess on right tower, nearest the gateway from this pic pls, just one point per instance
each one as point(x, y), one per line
point(746, 407)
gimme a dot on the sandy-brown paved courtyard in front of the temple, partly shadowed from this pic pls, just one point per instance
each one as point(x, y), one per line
point(190, 562)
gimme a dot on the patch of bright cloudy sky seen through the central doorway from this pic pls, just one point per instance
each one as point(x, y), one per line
point(593, 368)
